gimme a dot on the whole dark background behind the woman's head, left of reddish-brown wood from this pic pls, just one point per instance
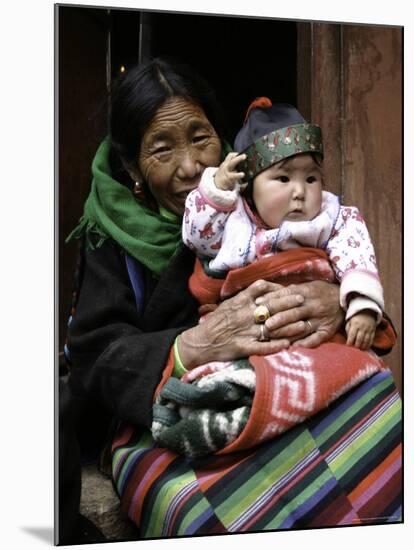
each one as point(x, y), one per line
point(241, 57)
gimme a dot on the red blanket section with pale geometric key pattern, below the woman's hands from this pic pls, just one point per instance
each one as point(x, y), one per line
point(299, 382)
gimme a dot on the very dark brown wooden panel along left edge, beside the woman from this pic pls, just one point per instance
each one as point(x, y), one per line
point(82, 36)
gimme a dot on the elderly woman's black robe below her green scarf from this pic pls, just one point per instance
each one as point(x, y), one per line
point(118, 352)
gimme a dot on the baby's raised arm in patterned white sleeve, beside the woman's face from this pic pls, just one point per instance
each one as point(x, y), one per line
point(209, 205)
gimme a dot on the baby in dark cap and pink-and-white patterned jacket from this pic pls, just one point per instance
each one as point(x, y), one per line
point(281, 205)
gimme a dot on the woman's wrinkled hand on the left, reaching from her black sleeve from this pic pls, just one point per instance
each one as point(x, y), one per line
point(229, 332)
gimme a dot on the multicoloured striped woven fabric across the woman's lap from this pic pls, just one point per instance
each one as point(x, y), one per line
point(342, 467)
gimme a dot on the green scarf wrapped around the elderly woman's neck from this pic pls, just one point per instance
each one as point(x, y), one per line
point(112, 211)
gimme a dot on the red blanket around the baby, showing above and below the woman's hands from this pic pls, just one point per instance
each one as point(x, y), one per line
point(294, 384)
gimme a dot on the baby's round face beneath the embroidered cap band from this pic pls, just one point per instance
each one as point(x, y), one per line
point(289, 190)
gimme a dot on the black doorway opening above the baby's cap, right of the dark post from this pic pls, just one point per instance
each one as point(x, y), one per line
point(242, 58)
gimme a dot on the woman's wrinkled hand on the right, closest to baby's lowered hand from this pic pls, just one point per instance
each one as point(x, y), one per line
point(314, 321)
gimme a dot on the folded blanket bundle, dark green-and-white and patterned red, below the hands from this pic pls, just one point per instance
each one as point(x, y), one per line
point(238, 405)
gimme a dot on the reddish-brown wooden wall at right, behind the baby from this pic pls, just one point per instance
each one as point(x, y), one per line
point(350, 82)
